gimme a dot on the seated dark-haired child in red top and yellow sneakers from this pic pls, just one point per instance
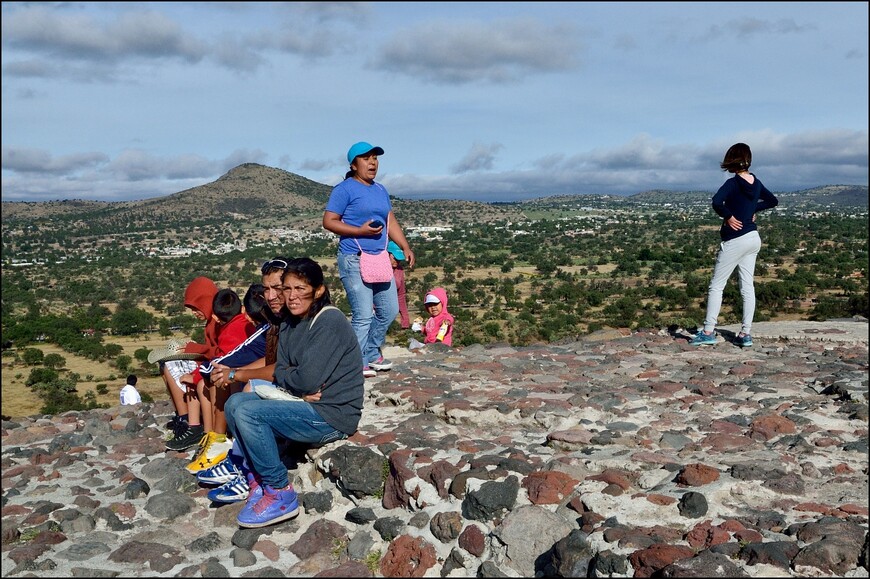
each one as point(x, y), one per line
point(233, 328)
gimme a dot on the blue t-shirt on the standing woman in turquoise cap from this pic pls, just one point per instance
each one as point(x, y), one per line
point(357, 203)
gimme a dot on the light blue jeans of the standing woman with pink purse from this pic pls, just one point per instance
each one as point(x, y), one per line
point(373, 307)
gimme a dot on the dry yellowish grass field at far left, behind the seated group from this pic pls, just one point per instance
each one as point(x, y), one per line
point(19, 400)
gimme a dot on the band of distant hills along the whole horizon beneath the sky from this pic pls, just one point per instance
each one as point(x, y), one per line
point(264, 196)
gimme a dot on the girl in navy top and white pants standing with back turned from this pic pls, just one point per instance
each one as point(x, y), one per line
point(736, 202)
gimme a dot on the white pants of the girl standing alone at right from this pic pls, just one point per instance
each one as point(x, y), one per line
point(739, 253)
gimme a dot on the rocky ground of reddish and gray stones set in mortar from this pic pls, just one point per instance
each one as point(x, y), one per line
point(624, 454)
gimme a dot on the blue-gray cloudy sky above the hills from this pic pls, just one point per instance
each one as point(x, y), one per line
point(494, 102)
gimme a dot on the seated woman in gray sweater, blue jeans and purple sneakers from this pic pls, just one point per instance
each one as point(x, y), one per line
point(318, 359)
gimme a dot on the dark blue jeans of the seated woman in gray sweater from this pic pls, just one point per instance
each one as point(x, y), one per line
point(255, 423)
